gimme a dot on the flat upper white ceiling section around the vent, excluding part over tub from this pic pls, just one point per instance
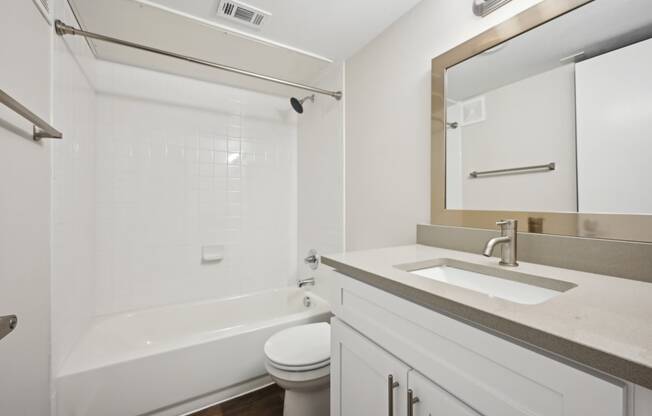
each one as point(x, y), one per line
point(334, 29)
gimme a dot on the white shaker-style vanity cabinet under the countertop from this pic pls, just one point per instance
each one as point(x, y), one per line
point(452, 367)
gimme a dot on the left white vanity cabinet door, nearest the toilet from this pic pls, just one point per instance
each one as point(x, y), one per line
point(360, 376)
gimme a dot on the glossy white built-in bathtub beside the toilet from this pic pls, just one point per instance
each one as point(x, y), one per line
point(174, 359)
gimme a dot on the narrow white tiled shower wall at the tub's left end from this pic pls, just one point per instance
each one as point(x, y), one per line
point(73, 191)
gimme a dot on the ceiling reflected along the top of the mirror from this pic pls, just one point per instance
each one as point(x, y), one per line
point(594, 29)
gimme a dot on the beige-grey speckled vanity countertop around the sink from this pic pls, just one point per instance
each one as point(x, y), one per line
point(604, 323)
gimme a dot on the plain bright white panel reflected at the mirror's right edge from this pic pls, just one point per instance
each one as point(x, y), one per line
point(614, 119)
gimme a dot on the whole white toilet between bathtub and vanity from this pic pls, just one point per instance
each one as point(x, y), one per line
point(298, 360)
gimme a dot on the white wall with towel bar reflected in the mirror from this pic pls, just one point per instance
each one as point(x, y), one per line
point(529, 122)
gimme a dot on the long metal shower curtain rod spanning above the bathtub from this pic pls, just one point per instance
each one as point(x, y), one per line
point(64, 29)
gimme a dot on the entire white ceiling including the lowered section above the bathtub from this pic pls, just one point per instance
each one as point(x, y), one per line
point(300, 40)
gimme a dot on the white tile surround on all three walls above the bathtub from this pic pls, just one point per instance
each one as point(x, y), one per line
point(129, 219)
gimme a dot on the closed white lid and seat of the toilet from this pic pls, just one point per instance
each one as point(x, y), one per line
point(300, 346)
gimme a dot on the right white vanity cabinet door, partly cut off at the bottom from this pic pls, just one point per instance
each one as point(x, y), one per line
point(431, 400)
